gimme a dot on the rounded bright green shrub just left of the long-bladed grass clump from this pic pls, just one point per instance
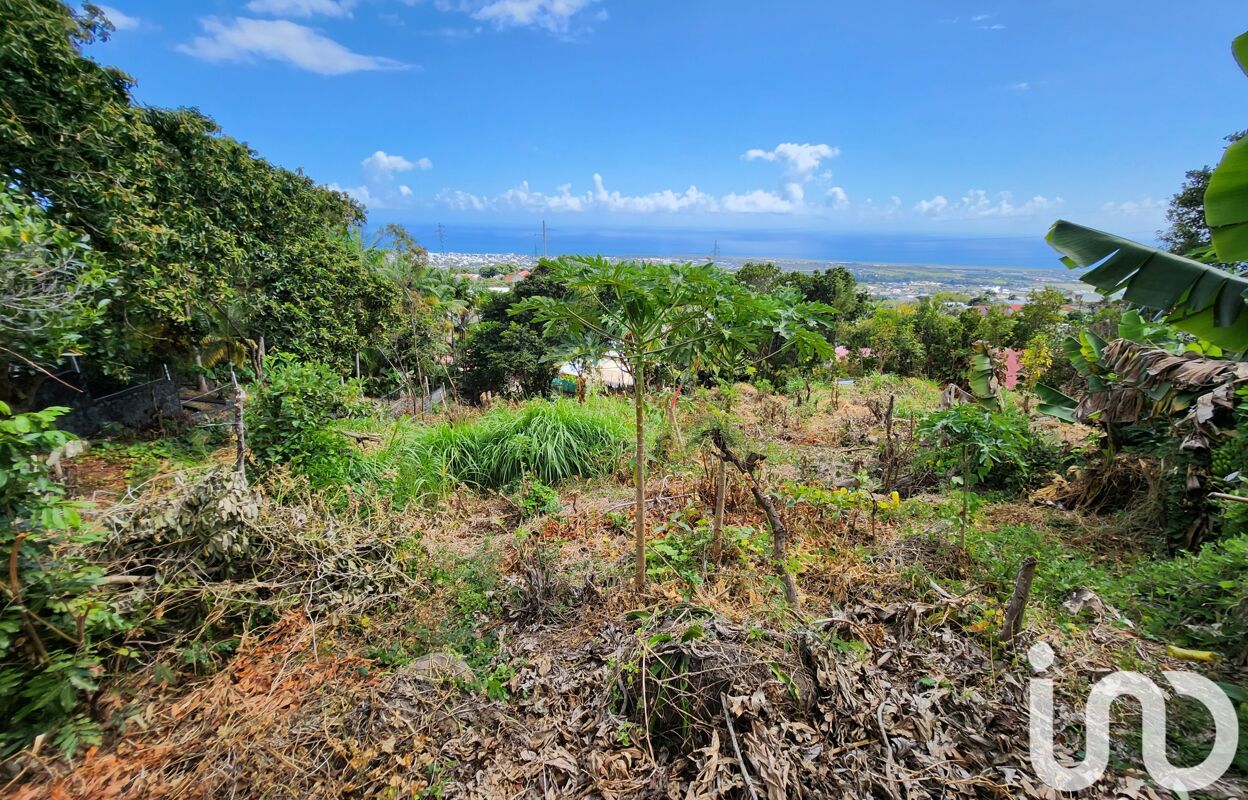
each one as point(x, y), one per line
point(289, 419)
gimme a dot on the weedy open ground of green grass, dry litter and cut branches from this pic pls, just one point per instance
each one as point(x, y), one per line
point(451, 617)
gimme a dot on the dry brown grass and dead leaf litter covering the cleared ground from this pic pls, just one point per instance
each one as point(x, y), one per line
point(884, 686)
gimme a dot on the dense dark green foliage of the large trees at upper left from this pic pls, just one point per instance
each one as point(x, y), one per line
point(190, 222)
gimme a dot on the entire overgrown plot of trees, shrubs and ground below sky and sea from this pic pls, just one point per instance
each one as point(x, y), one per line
point(437, 580)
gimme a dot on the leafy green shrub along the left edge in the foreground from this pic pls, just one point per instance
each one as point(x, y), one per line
point(53, 620)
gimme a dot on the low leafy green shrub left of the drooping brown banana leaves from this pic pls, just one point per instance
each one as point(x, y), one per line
point(992, 449)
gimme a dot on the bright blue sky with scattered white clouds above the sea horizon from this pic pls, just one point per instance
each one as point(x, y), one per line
point(909, 118)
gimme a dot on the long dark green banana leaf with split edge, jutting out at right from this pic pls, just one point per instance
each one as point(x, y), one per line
point(1199, 299)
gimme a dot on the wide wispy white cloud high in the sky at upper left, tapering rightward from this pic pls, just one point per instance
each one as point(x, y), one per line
point(245, 41)
